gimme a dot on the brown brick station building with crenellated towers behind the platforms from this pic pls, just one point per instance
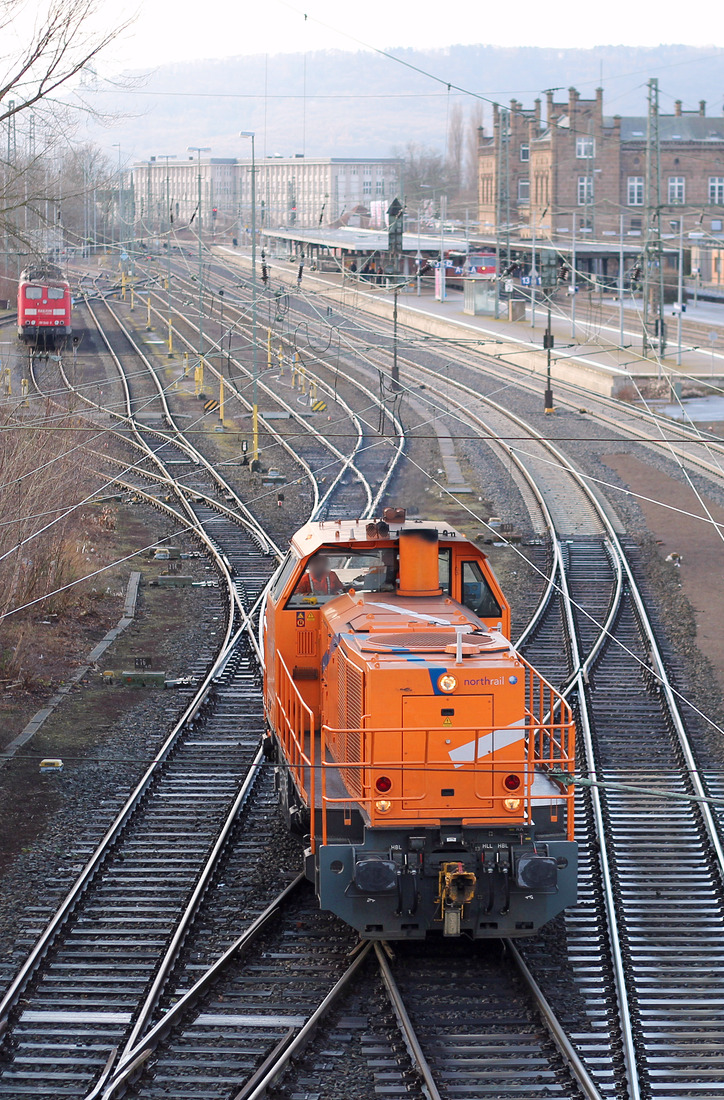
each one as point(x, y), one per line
point(578, 171)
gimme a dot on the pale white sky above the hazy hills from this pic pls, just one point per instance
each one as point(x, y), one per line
point(170, 31)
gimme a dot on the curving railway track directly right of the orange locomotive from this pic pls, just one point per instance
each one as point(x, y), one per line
point(654, 951)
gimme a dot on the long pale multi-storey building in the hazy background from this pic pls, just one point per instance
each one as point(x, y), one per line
point(295, 192)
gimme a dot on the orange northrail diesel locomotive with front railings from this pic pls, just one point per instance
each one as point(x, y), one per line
point(415, 749)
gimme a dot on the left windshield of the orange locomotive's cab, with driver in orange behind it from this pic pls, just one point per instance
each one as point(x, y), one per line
point(328, 575)
